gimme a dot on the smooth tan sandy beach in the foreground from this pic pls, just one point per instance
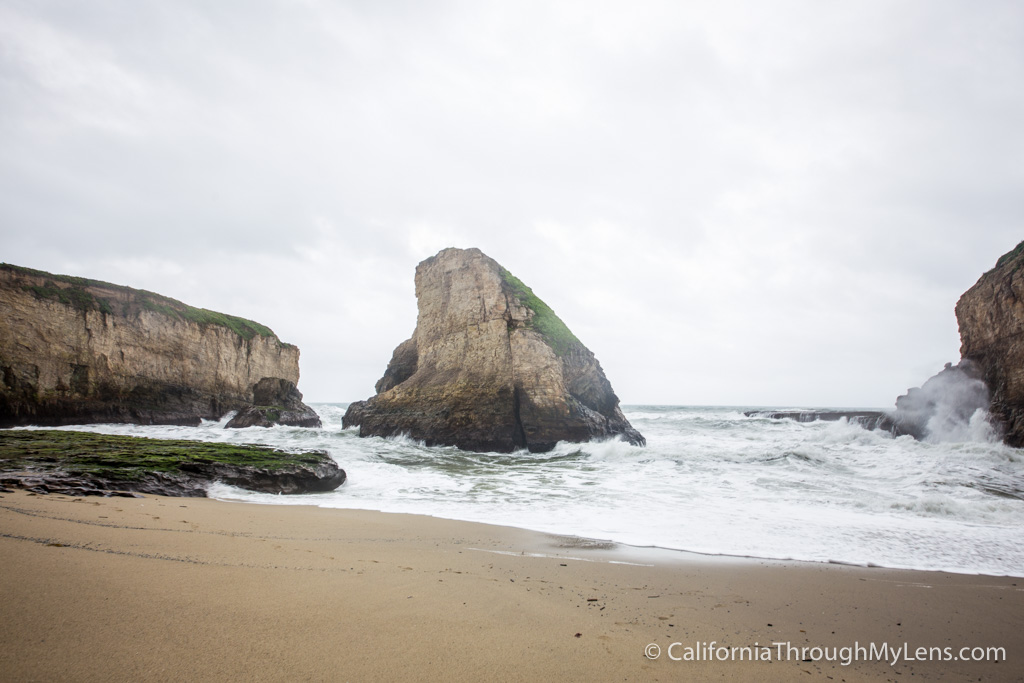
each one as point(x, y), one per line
point(187, 589)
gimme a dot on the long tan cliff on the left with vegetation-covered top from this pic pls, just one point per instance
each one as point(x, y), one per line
point(75, 351)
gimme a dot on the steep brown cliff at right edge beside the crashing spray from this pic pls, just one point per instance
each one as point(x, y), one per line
point(991, 317)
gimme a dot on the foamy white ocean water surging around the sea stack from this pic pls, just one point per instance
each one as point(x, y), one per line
point(710, 481)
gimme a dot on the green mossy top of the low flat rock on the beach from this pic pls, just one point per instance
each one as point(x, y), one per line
point(132, 458)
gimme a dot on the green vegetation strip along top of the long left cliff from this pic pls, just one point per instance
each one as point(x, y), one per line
point(80, 293)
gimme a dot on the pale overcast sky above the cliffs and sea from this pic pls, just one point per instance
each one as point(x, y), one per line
point(730, 203)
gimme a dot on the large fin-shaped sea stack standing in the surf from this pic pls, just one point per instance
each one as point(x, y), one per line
point(490, 368)
